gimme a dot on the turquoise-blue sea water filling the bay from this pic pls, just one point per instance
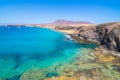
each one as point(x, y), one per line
point(22, 48)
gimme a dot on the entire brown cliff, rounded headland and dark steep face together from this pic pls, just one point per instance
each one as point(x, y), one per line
point(107, 34)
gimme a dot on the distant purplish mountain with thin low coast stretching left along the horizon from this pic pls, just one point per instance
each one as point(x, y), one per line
point(58, 24)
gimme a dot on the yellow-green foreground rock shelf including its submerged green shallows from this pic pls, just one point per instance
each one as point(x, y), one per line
point(91, 66)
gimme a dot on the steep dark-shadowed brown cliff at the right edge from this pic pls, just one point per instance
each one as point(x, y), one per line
point(109, 35)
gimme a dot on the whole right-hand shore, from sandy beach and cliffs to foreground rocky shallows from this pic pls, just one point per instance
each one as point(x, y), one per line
point(101, 63)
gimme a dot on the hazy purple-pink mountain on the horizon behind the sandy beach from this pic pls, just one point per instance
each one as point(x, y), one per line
point(66, 23)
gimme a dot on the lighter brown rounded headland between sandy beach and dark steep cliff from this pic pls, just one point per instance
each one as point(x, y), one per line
point(86, 33)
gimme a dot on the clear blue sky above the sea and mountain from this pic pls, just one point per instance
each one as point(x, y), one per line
point(45, 11)
